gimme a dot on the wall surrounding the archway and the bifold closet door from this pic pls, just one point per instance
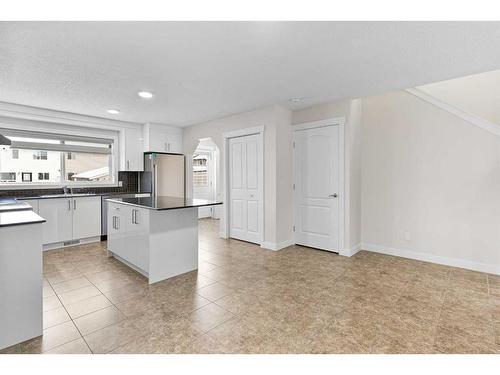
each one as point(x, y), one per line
point(277, 227)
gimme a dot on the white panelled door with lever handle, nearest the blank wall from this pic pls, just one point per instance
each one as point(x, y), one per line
point(317, 202)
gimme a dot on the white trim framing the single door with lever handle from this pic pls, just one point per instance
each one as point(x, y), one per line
point(340, 122)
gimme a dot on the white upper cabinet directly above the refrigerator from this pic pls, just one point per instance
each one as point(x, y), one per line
point(162, 138)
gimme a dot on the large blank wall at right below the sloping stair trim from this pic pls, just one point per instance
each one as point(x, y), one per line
point(430, 184)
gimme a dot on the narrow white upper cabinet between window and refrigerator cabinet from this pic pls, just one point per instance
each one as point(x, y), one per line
point(131, 150)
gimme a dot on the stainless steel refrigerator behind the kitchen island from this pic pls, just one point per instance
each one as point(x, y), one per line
point(164, 174)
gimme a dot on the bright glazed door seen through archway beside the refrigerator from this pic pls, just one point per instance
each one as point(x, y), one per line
point(203, 187)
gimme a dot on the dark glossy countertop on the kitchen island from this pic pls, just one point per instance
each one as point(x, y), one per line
point(161, 203)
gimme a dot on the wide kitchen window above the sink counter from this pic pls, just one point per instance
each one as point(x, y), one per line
point(55, 159)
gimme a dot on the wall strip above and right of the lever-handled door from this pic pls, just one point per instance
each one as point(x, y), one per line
point(351, 110)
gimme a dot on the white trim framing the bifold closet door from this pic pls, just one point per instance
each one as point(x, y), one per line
point(259, 131)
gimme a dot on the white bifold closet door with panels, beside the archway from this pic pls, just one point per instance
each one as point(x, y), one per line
point(245, 188)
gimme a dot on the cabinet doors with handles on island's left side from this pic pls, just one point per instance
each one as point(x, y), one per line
point(128, 234)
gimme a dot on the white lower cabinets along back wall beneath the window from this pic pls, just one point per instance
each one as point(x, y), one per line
point(70, 218)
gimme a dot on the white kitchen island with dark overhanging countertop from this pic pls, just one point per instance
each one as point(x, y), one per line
point(156, 236)
